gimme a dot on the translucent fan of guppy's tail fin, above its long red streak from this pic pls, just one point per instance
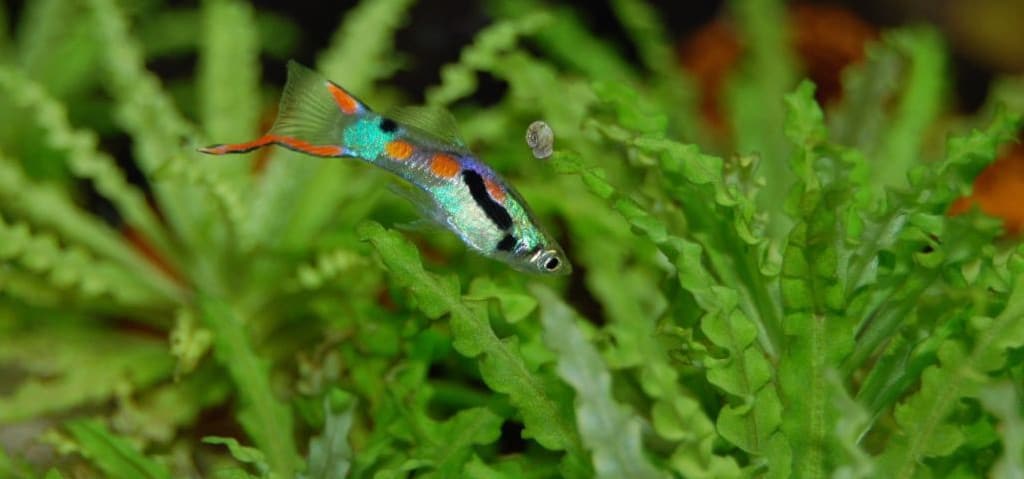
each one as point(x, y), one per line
point(315, 110)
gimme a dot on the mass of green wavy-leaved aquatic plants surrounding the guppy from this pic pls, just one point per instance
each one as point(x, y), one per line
point(795, 303)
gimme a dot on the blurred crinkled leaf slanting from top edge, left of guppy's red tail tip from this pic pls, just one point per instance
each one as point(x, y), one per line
point(160, 134)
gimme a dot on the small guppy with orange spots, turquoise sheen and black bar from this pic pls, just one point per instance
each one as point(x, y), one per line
point(452, 187)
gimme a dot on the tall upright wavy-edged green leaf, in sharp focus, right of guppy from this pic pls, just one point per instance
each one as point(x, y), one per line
point(819, 335)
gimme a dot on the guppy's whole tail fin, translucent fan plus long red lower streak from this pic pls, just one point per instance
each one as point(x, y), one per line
point(312, 117)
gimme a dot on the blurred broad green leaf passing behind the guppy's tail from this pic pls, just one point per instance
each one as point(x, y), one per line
point(298, 196)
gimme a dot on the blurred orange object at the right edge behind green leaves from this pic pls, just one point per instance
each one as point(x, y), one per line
point(1000, 191)
